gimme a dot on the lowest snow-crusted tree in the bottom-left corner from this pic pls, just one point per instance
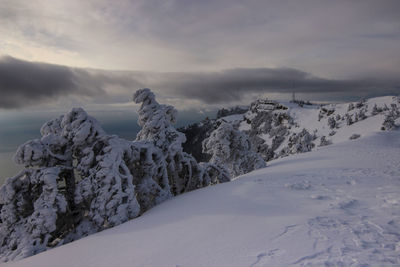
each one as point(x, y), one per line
point(33, 214)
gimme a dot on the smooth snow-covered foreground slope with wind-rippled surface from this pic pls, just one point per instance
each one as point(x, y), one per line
point(336, 206)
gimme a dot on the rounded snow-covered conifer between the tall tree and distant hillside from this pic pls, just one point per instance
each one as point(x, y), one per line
point(231, 148)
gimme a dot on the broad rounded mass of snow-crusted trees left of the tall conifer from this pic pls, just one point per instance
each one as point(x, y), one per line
point(75, 182)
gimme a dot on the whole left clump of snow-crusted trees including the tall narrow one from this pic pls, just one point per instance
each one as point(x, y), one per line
point(78, 180)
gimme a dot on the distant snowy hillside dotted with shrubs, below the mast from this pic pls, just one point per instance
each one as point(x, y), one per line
point(280, 129)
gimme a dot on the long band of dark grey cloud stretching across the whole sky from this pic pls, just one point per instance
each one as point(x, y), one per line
point(29, 83)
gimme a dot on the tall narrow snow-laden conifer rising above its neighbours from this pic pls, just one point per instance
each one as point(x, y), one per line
point(184, 173)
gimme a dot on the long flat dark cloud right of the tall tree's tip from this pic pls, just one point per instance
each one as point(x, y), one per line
point(232, 85)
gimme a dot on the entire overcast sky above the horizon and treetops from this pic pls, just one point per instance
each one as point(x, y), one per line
point(196, 53)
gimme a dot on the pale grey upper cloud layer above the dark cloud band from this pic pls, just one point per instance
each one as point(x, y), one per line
point(329, 38)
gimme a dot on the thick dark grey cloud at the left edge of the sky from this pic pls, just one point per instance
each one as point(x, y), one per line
point(24, 83)
